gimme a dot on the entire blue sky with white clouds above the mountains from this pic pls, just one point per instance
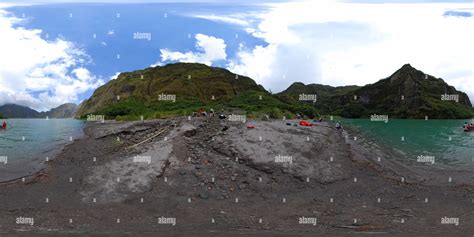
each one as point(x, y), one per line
point(61, 52)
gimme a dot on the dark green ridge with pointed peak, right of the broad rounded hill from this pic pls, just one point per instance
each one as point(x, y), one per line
point(407, 93)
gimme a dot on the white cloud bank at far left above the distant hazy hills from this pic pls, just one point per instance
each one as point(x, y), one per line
point(38, 73)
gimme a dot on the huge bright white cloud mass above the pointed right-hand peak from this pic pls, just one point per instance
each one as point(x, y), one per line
point(352, 43)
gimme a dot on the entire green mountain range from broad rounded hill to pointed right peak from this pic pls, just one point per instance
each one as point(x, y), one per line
point(183, 88)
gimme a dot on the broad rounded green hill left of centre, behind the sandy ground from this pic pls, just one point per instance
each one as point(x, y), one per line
point(180, 89)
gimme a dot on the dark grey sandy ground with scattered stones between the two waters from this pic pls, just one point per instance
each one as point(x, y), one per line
point(207, 169)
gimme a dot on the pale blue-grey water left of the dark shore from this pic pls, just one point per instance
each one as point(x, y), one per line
point(27, 139)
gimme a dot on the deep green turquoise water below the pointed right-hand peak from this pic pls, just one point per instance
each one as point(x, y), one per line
point(443, 139)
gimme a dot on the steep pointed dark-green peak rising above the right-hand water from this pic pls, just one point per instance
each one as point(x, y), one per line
point(410, 93)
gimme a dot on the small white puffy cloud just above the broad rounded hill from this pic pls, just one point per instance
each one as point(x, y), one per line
point(209, 49)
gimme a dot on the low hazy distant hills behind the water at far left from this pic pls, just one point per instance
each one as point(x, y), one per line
point(17, 111)
